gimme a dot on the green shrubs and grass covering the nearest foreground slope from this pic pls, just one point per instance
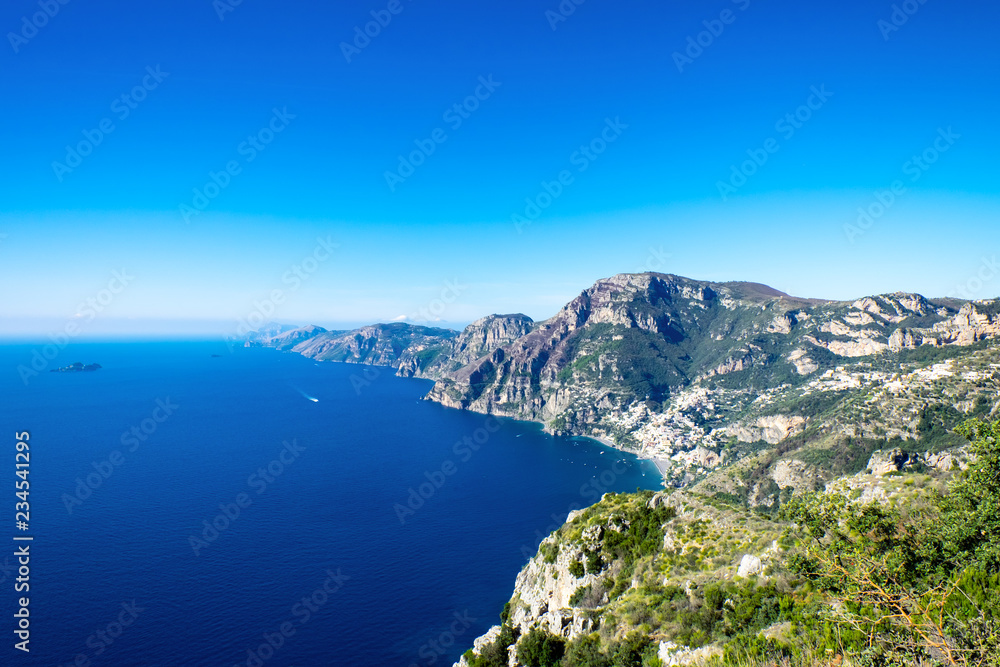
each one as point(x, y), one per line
point(914, 581)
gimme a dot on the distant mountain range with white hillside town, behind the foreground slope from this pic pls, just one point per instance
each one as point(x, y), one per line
point(717, 382)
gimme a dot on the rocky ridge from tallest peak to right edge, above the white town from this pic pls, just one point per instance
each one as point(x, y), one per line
point(636, 338)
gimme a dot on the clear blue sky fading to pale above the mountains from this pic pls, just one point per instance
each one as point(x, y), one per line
point(204, 148)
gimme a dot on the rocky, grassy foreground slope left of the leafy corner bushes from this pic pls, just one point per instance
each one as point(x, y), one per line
point(676, 578)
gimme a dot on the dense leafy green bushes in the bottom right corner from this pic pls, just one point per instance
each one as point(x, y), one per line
point(913, 583)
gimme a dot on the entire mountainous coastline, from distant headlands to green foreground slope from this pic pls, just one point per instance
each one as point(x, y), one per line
point(794, 435)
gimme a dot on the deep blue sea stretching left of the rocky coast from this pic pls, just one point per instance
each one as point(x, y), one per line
point(330, 557)
